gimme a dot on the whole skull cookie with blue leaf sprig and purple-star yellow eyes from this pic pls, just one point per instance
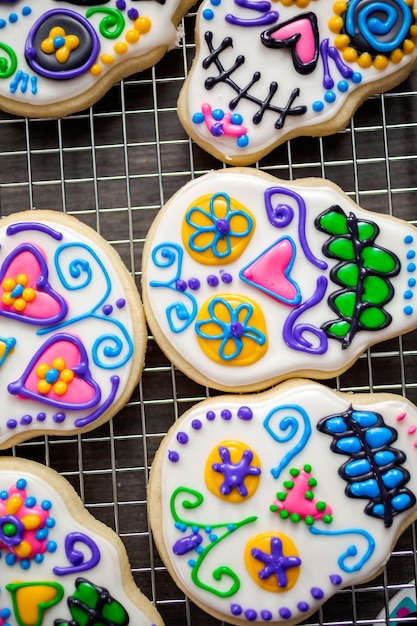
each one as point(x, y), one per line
point(264, 506)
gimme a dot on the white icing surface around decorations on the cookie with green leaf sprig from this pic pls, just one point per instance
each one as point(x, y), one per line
point(280, 360)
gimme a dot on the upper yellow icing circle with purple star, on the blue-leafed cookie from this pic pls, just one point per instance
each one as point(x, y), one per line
point(233, 471)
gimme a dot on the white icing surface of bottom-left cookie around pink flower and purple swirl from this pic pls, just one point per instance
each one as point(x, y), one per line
point(67, 512)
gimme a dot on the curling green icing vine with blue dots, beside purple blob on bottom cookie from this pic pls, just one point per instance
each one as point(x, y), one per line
point(192, 500)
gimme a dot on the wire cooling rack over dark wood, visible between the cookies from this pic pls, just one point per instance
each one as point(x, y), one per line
point(113, 166)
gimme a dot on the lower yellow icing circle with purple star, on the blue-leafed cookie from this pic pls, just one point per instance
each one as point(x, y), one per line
point(273, 562)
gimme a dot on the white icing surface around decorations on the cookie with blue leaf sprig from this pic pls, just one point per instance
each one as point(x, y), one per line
point(356, 546)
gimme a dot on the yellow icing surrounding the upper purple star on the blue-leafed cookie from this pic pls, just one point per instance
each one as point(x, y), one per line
point(238, 455)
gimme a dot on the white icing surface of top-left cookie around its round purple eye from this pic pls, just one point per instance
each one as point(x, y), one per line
point(16, 89)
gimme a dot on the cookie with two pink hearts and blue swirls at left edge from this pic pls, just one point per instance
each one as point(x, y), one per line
point(73, 334)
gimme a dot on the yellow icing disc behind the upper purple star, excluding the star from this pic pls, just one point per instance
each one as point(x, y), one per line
point(214, 480)
